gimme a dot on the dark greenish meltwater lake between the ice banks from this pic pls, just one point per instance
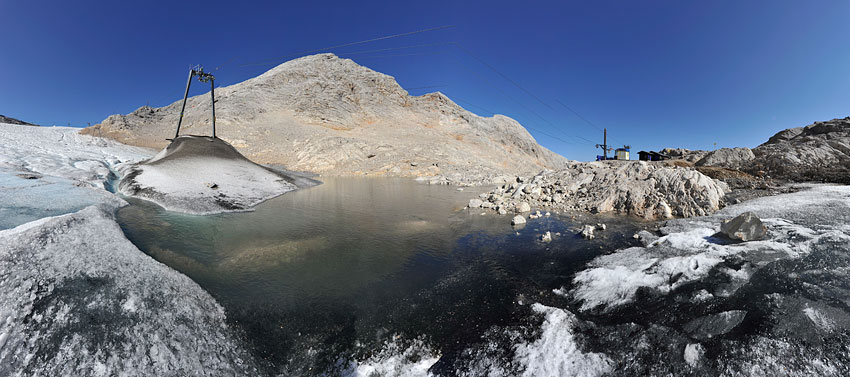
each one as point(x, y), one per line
point(363, 270)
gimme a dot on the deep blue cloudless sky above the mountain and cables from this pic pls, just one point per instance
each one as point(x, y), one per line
point(655, 73)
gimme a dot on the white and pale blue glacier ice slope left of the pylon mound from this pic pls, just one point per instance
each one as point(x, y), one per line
point(49, 171)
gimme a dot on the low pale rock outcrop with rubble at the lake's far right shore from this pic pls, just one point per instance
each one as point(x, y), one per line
point(638, 188)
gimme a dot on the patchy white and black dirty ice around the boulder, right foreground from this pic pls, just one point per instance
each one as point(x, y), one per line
point(705, 305)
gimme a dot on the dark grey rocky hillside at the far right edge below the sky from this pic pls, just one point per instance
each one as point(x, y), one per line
point(817, 152)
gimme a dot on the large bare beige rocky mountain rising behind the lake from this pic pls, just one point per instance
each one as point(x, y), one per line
point(329, 115)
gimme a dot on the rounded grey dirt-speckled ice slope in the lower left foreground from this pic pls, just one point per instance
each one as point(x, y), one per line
point(77, 298)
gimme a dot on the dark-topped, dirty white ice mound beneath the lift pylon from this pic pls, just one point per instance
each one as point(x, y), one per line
point(203, 175)
